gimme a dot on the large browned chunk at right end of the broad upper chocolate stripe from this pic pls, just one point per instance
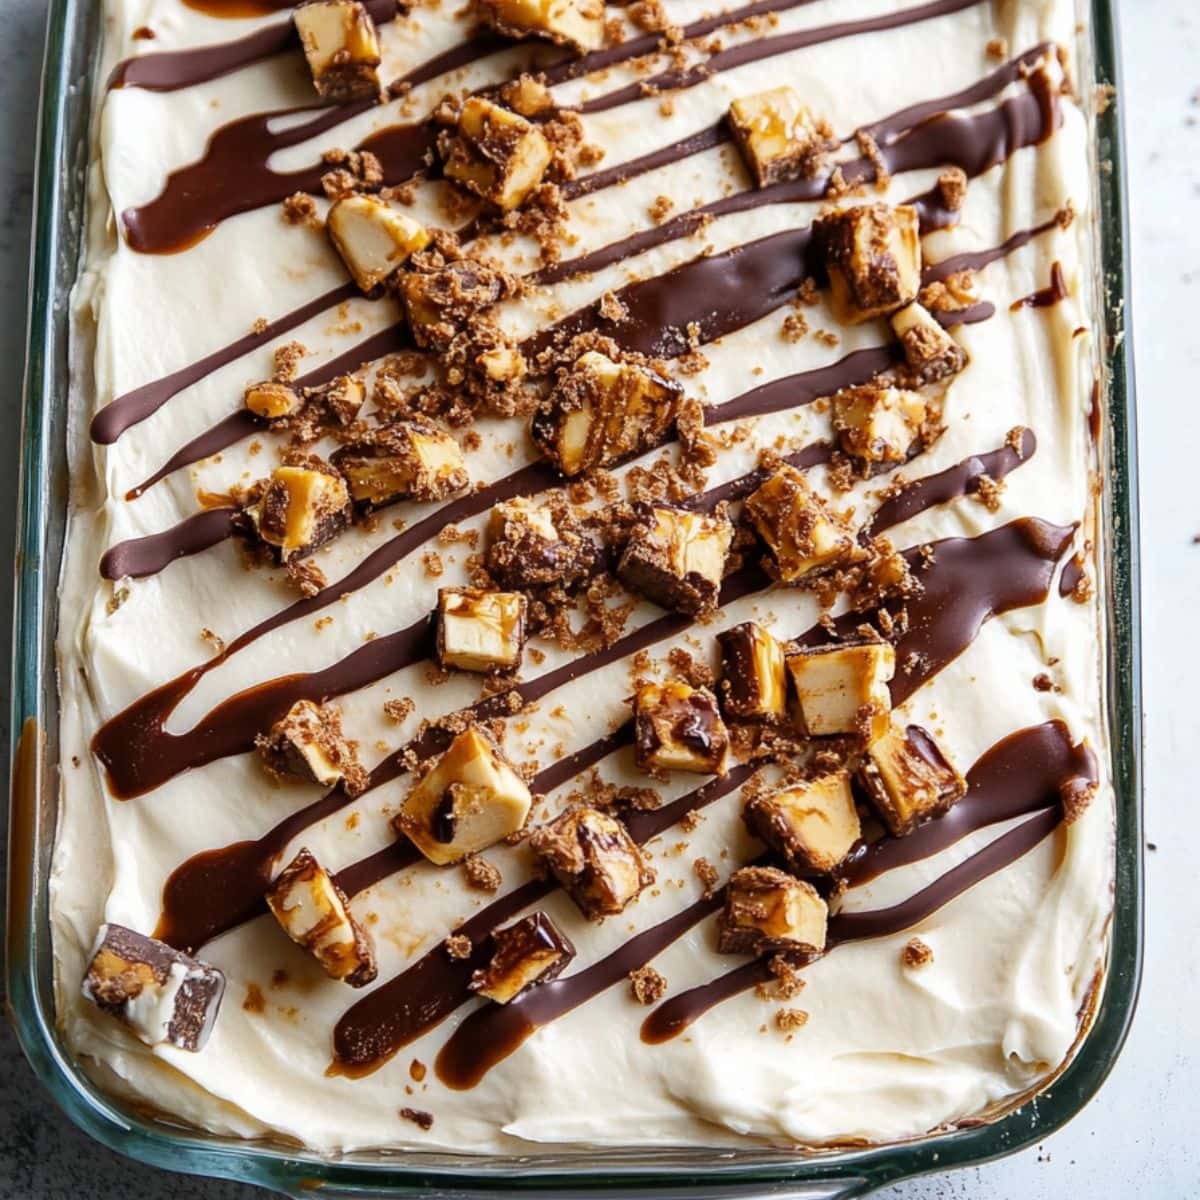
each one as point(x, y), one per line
point(873, 256)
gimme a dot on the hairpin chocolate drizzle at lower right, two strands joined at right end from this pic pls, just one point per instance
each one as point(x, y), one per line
point(1029, 772)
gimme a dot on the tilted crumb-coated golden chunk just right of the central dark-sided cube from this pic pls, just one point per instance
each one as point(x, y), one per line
point(797, 526)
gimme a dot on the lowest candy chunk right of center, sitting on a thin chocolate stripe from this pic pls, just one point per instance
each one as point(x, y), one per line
point(770, 911)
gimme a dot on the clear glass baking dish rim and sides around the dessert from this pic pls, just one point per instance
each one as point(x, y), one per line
point(73, 39)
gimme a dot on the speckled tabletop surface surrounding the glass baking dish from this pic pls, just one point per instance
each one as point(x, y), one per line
point(1139, 1135)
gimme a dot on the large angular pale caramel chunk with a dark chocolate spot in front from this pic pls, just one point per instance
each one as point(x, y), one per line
point(470, 801)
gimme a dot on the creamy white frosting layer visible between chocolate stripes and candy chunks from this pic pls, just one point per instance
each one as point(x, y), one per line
point(887, 1052)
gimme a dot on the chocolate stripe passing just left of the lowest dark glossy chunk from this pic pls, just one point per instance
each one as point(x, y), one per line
point(413, 1003)
